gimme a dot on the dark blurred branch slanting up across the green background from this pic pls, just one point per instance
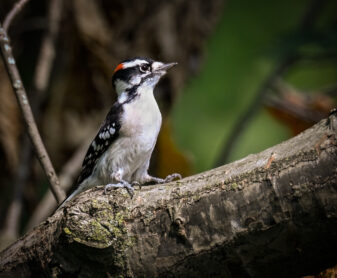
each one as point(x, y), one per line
point(306, 23)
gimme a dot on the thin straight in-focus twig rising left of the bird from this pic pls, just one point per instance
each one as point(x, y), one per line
point(33, 132)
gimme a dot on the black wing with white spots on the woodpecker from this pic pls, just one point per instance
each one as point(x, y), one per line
point(106, 135)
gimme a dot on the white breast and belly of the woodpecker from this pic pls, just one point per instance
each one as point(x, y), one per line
point(140, 126)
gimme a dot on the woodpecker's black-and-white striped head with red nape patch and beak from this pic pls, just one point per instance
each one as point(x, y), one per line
point(136, 73)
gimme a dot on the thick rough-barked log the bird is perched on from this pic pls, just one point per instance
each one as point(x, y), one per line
point(272, 214)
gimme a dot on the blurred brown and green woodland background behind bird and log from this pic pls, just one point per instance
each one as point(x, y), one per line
point(251, 74)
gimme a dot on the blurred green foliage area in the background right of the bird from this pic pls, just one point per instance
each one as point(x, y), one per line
point(252, 36)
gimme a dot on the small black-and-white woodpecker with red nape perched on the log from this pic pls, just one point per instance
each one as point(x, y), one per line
point(119, 155)
